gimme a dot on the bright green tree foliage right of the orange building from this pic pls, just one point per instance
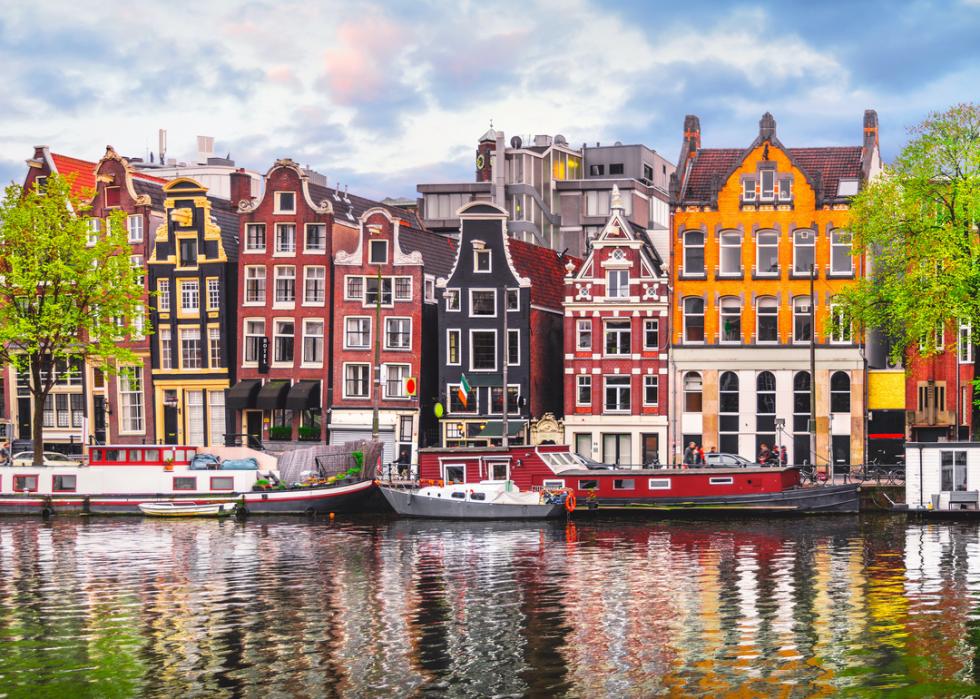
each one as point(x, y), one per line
point(917, 224)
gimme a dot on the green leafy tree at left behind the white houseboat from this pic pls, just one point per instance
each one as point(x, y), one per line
point(68, 295)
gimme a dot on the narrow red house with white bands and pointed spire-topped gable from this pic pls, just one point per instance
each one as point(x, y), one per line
point(616, 344)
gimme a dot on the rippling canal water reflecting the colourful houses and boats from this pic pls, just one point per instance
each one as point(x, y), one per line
point(392, 608)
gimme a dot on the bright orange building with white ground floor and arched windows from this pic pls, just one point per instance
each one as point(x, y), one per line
point(749, 225)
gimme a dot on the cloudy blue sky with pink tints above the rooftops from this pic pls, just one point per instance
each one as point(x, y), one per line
point(382, 96)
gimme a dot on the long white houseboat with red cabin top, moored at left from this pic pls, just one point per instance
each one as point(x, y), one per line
point(117, 479)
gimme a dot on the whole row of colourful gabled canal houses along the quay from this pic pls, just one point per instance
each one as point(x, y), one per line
point(293, 312)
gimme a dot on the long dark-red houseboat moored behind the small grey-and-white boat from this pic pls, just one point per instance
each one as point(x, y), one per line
point(751, 489)
